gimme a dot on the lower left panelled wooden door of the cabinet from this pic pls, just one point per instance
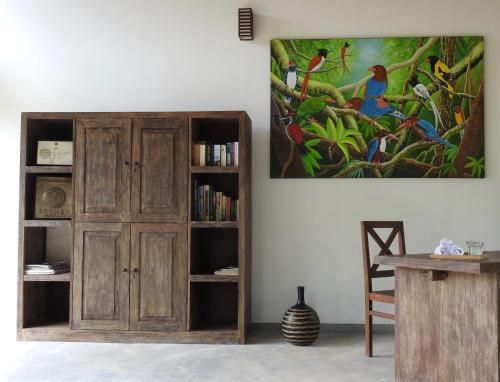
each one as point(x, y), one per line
point(101, 276)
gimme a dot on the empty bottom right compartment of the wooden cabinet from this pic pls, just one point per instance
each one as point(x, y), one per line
point(213, 306)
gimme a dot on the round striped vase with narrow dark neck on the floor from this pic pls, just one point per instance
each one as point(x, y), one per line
point(300, 324)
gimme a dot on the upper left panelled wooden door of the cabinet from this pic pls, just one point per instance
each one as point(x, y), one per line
point(102, 170)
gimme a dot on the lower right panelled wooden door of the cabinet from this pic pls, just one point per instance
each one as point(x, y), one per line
point(158, 285)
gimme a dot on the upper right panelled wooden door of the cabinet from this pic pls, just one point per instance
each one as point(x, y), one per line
point(160, 170)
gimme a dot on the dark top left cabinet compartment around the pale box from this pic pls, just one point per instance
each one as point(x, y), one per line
point(45, 130)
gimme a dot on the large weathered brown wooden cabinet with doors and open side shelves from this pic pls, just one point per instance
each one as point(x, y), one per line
point(133, 209)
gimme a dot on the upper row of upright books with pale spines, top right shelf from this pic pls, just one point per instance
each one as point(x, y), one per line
point(208, 154)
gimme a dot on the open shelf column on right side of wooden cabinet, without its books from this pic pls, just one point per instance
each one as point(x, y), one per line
point(219, 244)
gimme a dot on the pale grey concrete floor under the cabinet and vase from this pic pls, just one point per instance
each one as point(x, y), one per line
point(334, 357)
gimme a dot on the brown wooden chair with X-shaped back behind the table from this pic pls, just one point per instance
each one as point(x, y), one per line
point(368, 229)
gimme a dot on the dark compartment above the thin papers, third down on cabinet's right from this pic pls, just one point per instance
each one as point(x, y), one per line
point(211, 250)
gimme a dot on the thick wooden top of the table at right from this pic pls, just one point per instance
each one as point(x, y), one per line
point(424, 261)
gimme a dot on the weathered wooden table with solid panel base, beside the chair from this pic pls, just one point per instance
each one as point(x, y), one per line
point(447, 318)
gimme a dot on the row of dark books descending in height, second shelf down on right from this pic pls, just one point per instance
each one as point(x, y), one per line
point(211, 205)
